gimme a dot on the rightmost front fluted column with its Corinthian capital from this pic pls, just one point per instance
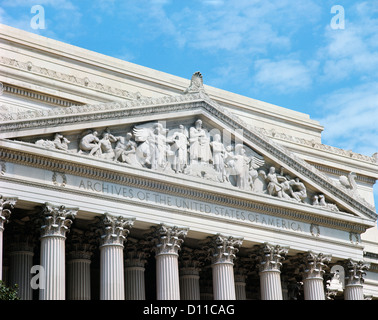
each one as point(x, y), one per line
point(354, 279)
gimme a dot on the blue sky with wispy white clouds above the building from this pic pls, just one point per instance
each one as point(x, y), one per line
point(285, 52)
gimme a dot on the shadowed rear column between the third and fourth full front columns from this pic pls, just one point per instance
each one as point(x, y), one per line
point(189, 262)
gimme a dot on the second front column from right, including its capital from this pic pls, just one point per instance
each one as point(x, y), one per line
point(313, 282)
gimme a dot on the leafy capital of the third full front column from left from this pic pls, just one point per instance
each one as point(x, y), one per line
point(168, 239)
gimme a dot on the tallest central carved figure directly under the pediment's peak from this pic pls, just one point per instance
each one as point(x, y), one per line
point(199, 144)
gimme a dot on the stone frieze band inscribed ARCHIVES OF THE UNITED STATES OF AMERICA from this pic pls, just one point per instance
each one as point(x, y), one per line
point(212, 208)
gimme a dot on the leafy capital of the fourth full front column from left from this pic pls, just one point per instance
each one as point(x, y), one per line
point(223, 248)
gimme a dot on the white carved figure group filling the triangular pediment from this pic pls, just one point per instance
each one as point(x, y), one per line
point(194, 151)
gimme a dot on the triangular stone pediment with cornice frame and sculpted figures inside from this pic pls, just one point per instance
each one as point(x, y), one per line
point(164, 135)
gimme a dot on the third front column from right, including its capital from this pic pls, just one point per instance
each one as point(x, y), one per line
point(270, 257)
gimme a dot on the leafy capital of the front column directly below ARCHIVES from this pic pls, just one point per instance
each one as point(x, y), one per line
point(114, 230)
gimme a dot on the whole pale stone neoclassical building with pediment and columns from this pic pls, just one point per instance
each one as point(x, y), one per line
point(120, 182)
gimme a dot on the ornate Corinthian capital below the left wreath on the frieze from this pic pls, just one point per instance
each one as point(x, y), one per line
point(56, 220)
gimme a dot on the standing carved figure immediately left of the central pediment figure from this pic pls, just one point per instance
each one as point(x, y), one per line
point(180, 149)
